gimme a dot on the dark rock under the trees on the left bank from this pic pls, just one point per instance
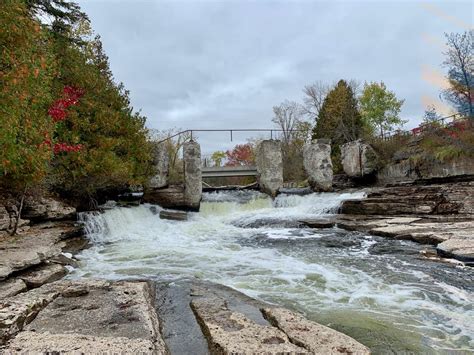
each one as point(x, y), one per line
point(46, 208)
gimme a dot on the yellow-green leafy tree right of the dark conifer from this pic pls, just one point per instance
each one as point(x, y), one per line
point(380, 108)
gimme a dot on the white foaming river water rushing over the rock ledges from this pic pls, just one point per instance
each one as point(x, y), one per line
point(375, 289)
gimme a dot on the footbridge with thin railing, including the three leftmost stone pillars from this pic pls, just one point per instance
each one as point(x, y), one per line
point(268, 169)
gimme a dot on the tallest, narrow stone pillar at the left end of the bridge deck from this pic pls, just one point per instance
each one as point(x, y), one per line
point(192, 175)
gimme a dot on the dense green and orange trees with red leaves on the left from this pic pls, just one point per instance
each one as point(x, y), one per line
point(65, 123)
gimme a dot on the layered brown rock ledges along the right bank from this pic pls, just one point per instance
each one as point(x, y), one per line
point(441, 215)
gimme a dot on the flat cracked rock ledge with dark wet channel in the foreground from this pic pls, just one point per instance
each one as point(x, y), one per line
point(144, 317)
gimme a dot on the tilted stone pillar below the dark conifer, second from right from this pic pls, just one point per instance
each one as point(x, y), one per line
point(318, 165)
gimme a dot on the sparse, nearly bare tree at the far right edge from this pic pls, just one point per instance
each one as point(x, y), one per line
point(460, 64)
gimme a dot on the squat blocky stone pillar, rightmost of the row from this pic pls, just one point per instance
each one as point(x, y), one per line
point(358, 159)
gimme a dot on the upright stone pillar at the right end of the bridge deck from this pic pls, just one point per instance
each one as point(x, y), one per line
point(270, 166)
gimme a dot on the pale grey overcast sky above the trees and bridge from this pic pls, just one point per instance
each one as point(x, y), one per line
point(225, 64)
